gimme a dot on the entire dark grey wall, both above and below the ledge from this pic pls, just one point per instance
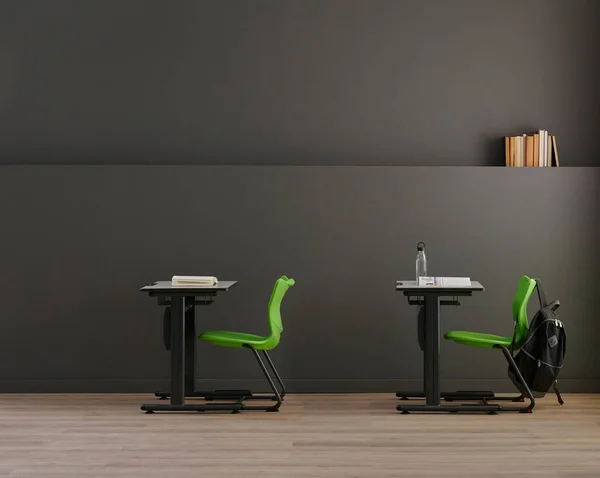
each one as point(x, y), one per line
point(282, 82)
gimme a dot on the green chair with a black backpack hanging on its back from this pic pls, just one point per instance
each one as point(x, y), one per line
point(504, 343)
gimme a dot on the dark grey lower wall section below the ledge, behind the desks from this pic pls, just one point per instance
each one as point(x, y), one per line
point(79, 241)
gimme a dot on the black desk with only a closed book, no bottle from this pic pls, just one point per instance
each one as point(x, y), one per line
point(183, 344)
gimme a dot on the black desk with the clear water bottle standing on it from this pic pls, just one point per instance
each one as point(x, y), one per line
point(431, 299)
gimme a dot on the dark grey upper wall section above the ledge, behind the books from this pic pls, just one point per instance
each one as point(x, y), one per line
point(429, 82)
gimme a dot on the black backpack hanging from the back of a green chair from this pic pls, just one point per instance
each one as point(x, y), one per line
point(540, 358)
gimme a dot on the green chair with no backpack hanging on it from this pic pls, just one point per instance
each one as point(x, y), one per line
point(257, 342)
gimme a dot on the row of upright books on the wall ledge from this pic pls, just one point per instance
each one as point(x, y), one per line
point(531, 150)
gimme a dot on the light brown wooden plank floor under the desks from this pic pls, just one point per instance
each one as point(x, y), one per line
point(312, 436)
